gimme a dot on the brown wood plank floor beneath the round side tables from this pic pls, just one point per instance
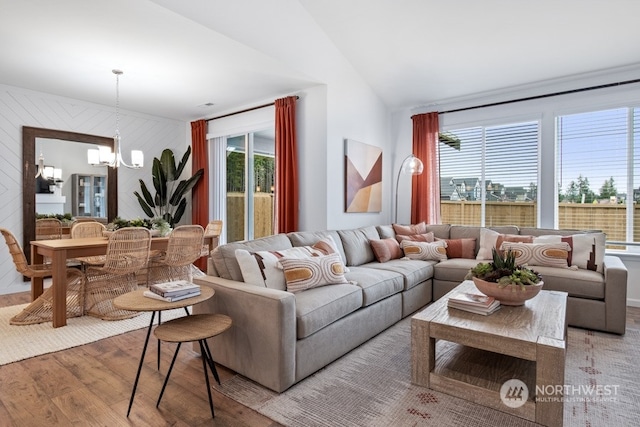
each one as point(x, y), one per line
point(90, 385)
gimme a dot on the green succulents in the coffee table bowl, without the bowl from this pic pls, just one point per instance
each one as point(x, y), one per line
point(504, 271)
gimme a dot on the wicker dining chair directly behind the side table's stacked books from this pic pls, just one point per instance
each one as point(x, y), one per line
point(183, 248)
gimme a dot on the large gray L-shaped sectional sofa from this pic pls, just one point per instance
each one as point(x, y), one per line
point(278, 338)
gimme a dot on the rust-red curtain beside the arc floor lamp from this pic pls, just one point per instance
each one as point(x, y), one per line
point(425, 188)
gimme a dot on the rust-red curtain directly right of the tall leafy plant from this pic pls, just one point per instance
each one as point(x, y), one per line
point(200, 192)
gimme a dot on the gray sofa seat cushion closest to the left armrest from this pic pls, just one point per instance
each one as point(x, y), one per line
point(319, 307)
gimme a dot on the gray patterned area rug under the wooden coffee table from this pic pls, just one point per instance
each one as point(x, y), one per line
point(371, 386)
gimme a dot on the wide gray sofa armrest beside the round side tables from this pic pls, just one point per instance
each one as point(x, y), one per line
point(261, 342)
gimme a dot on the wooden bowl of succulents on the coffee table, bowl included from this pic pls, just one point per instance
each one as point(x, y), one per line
point(504, 280)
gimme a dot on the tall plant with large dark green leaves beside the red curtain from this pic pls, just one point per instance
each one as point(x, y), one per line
point(169, 201)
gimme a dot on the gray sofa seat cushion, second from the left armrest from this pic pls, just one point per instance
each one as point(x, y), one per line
point(376, 284)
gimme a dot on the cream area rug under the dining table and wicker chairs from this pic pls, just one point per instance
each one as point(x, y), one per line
point(25, 341)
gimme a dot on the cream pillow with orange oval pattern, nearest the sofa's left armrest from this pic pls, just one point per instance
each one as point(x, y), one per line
point(307, 273)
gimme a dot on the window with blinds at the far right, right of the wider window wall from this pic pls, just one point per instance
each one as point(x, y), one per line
point(598, 165)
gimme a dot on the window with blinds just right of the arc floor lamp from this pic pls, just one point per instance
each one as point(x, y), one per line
point(489, 175)
